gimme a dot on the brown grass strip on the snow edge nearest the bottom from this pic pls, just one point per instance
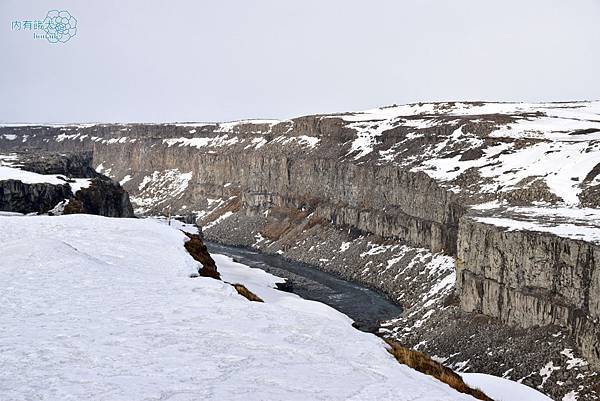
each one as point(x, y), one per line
point(422, 363)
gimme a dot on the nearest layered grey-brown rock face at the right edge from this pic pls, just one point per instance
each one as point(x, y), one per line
point(531, 279)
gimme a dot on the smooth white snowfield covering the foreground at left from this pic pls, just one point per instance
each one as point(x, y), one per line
point(95, 308)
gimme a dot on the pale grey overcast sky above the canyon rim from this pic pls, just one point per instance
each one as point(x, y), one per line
point(193, 60)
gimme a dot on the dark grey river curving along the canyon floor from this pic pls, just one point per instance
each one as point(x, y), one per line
point(365, 306)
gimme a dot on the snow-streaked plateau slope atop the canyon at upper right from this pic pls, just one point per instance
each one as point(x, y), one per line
point(553, 143)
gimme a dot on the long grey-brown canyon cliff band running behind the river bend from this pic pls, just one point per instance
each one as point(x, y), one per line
point(385, 200)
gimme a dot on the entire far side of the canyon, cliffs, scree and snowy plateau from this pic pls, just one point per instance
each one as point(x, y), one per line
point(391, 197)
